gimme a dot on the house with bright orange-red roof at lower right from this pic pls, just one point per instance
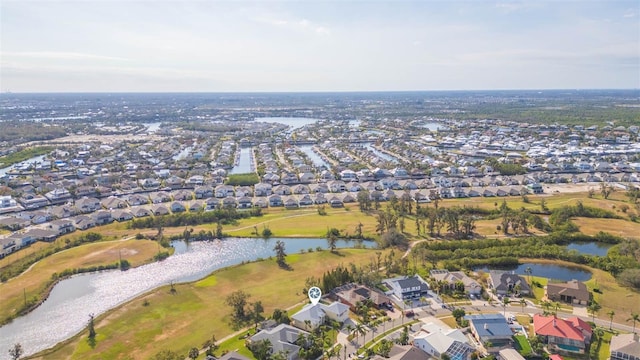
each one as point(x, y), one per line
point(572, 335)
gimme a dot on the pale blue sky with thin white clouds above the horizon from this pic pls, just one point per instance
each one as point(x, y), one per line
point(330, 45)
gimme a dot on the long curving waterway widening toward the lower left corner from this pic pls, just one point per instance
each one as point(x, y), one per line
point(67, 309)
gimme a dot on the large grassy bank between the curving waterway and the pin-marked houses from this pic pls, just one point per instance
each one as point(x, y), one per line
point(196, 311)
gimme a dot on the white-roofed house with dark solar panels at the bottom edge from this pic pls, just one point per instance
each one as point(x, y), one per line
point(437, 342)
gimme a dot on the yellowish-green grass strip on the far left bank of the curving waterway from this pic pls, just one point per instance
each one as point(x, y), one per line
point(32, 282)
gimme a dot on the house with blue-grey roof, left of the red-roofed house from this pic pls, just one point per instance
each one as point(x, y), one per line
point(491, 329)
